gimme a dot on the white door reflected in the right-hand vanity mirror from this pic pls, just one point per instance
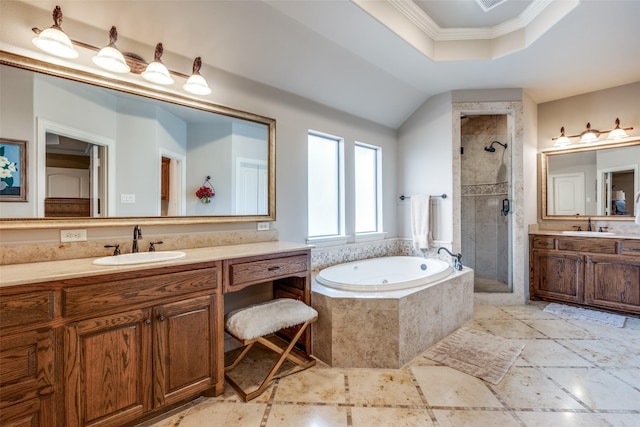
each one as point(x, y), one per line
point(566, 194)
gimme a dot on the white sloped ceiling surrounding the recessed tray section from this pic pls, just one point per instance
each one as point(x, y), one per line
point(337, 54)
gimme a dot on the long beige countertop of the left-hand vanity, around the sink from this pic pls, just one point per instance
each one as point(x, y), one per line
point(37, 272)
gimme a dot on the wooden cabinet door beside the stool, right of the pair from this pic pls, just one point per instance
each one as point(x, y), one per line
point(184, 349)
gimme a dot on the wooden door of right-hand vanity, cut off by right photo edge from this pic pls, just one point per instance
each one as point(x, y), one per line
point(613, 282)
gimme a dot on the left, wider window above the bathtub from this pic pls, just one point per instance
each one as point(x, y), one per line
point(325, 185)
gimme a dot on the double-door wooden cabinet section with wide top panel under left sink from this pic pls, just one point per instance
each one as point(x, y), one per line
point(161, 351)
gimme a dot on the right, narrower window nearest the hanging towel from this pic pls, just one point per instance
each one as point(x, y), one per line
point(367, 186)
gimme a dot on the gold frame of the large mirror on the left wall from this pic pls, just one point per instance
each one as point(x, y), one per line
point(30, 64)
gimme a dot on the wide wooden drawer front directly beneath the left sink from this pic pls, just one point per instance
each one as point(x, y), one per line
point(108, 295)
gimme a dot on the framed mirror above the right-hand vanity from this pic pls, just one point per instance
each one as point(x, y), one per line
point(595, 181)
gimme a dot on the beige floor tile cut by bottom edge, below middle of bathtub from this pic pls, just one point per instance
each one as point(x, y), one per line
point(396, 417)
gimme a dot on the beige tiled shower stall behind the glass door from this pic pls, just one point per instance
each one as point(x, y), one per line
point(486, 195)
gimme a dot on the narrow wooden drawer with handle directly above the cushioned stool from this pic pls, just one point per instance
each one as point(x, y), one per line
point(241, 274)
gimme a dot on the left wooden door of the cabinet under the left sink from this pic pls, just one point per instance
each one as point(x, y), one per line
point(108, 369)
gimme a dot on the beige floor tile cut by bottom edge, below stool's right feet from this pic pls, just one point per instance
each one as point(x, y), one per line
point(306, 415)
